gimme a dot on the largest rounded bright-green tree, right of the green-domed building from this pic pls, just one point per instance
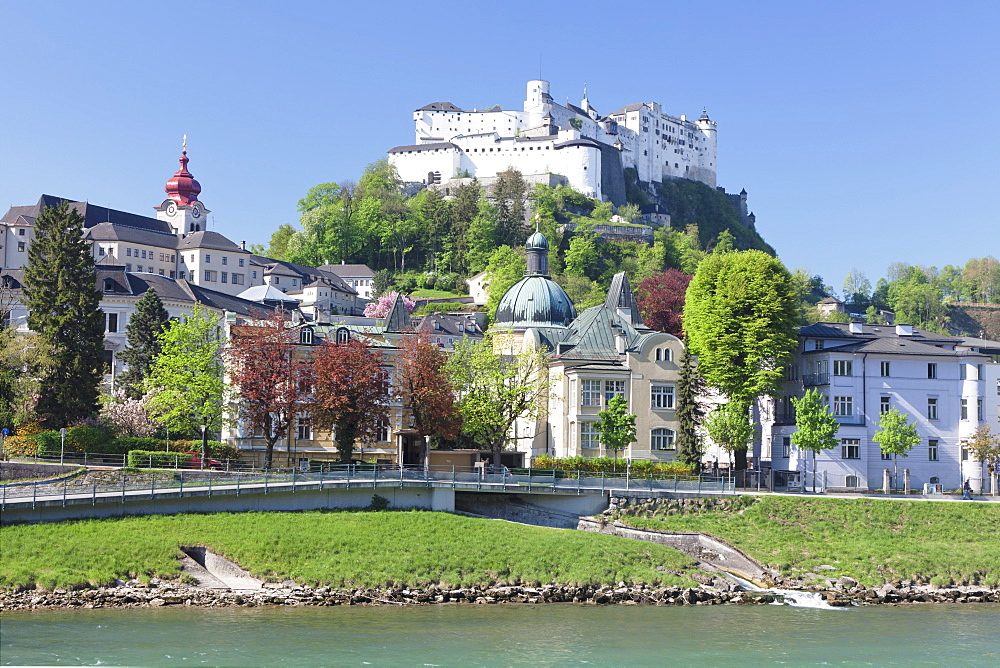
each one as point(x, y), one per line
point(739, 316)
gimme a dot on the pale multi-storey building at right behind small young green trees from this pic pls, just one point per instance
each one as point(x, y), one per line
point(863, 371)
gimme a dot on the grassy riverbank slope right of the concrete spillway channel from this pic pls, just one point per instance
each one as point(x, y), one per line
point(871, 540)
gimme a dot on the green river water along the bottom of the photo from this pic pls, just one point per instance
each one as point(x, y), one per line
point(469, 635)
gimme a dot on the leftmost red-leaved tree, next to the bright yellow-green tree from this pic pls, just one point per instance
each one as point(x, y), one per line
point(272, 378)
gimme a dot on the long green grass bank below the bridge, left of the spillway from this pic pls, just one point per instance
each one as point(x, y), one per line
point(340, 549)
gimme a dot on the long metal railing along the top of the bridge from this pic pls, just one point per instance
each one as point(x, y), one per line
point(124, 486)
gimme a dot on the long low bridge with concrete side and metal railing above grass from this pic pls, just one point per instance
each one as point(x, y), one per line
point(119, 493)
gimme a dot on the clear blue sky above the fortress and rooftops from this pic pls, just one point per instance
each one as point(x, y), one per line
point(865, 132)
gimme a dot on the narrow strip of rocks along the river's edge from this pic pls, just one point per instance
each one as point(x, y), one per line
point(160, 593)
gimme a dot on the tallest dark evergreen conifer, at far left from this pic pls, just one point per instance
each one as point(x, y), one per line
point(64, 309)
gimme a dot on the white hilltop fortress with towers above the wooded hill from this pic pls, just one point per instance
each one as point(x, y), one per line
point(590, 150)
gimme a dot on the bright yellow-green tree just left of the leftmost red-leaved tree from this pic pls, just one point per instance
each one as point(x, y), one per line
point(186, 378)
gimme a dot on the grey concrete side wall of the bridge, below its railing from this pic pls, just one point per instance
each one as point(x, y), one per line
point(357, 497)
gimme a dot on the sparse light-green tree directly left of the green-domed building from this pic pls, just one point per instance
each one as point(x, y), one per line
point(495, 389)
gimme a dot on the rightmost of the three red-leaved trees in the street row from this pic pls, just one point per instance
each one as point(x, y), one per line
point(426, 390)
